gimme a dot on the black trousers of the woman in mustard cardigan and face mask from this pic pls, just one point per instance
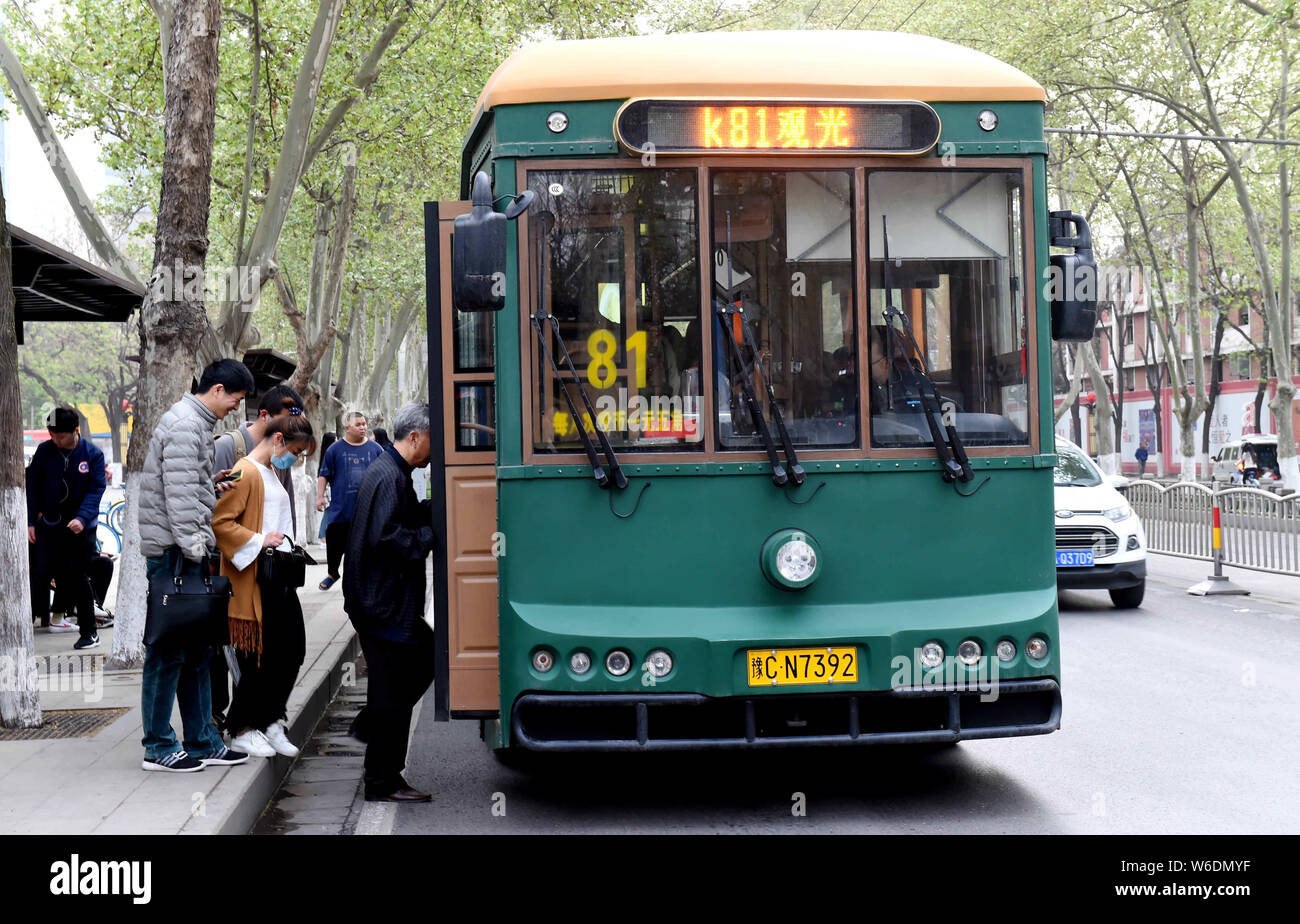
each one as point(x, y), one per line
point(265, 687)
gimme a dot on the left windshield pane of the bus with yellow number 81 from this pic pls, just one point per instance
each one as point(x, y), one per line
point(622, 255)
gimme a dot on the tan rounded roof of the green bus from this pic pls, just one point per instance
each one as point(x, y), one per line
point(762, 66)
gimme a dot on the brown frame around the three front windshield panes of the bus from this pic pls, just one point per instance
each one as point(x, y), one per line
point(710, 452)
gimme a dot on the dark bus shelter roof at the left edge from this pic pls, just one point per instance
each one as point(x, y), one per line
point(53, 285)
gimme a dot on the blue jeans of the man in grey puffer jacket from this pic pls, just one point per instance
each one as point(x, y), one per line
point(174, 674)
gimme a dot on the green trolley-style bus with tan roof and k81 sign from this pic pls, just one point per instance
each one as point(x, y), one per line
point(742, 398)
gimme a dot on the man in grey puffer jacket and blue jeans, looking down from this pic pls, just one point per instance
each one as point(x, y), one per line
point(177, 498)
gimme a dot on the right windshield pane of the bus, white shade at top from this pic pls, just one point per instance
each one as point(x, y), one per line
point(956, 267)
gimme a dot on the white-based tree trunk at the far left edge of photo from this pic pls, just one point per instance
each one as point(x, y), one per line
point(20, 699)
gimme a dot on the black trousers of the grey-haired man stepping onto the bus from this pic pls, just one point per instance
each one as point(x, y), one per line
point(400, 674)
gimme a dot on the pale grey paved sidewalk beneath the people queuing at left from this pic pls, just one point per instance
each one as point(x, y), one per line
point(94, 784)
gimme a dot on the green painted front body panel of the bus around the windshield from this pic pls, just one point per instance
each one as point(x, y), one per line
point(905, 559)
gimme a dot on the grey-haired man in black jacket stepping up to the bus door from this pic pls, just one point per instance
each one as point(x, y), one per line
point(384, 589)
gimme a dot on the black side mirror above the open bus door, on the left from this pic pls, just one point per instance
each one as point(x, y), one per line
point(479, 250)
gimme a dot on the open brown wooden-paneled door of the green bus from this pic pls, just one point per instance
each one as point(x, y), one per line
point(463, 481)
